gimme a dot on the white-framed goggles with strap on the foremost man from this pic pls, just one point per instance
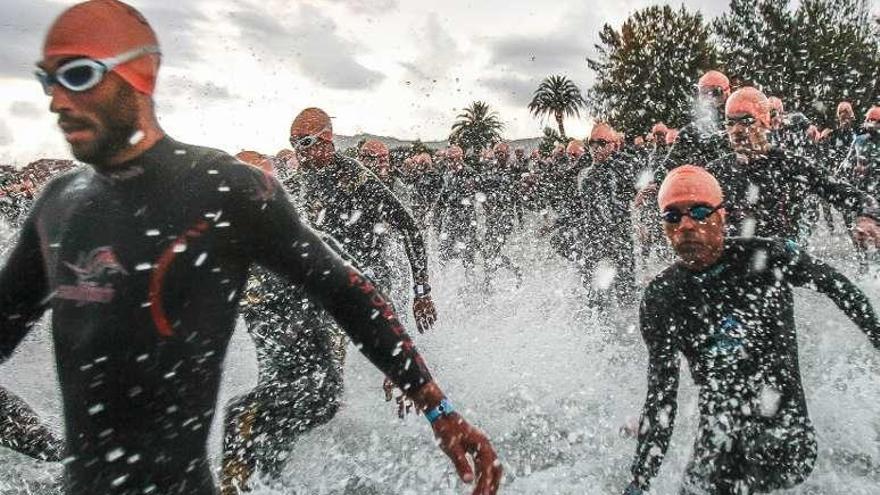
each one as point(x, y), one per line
point(83, 74)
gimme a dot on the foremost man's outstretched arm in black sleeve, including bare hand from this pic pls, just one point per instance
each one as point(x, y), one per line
point(275, 237)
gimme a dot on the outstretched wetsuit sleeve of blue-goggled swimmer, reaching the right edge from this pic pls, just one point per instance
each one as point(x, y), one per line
point(804, 270)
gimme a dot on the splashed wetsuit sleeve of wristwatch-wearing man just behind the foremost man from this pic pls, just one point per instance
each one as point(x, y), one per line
point(403, 222)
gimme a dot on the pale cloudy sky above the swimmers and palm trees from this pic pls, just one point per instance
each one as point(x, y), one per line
point(235, 72)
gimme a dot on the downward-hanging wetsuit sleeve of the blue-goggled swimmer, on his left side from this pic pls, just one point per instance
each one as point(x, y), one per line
point(658, 413)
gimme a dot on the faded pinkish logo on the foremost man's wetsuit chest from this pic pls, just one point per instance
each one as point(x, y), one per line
point(92, 272)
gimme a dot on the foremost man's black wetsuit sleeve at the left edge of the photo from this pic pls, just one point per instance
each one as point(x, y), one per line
point(23, 289)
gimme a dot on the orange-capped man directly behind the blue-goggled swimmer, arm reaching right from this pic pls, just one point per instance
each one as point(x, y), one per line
point(767, 188)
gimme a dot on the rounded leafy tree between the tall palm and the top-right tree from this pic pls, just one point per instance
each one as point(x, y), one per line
point(645, 73)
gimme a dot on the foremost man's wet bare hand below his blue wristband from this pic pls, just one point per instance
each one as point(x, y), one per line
point(458, 439)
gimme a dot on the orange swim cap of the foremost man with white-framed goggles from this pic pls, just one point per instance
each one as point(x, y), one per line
point(101, 29)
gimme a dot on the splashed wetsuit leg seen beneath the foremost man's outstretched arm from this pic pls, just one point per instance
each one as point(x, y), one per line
point(300, 351)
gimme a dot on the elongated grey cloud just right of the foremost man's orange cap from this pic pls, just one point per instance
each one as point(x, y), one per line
point(312, 43)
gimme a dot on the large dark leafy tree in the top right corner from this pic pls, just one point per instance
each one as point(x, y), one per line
point(813, 57)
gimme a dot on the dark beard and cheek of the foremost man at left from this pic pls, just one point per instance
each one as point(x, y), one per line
point(114, 124)
